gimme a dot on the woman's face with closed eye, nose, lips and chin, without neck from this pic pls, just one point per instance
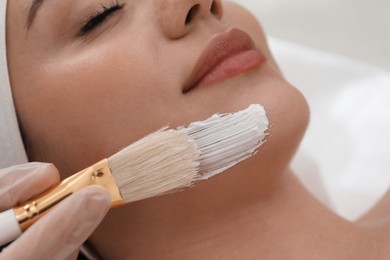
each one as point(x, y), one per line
point(90, 77)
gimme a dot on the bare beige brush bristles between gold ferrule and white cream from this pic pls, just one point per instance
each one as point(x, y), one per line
point(160, 163)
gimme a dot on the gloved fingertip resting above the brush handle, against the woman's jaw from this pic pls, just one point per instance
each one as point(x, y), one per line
point(21, 182)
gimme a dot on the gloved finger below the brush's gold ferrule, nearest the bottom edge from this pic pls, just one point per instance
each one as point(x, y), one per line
point(64, 229)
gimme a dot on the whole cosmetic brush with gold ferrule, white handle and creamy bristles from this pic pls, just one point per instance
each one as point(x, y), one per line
point(163, 162)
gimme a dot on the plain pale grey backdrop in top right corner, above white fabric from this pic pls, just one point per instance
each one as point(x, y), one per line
point(359, 29)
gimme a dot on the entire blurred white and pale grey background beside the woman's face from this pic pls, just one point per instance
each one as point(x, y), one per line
point(337, 52)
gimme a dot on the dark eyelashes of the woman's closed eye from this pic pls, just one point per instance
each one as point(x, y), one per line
point(99, 17)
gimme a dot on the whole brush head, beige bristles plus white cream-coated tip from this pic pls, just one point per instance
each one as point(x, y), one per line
point(169, 160)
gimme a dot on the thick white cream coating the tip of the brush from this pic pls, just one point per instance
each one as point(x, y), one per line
point(227, 139)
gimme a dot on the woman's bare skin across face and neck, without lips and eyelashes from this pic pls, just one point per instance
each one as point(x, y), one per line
point(81, 98)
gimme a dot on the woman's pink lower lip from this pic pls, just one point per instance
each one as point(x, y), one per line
point(240, 63)
